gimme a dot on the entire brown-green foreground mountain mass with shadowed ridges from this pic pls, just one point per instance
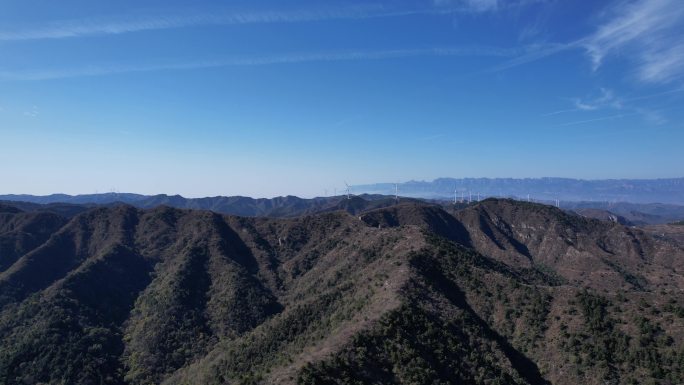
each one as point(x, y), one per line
point(499, 292)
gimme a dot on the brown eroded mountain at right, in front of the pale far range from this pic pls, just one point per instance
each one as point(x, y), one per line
point(582, 250)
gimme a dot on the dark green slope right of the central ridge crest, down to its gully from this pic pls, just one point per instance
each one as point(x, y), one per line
point(431, 337)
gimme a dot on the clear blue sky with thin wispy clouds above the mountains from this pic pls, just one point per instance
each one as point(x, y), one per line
point(263, 98)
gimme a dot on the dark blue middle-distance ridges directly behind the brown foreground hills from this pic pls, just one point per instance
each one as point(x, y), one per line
point(292, 206)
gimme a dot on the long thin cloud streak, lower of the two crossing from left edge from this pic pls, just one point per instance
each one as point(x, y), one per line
point(291, 58)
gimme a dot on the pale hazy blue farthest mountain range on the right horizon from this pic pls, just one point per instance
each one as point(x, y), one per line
point(540, 189)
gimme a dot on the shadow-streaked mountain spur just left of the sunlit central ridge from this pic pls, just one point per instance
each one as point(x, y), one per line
point(204, 291)
